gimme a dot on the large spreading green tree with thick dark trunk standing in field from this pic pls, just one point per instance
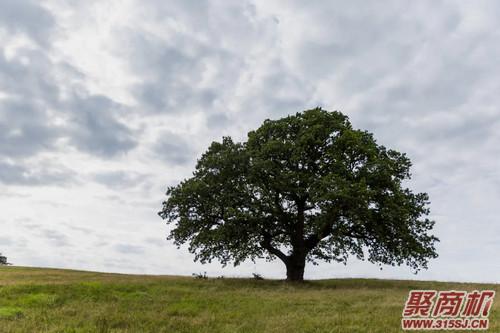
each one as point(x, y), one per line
point(307, 187)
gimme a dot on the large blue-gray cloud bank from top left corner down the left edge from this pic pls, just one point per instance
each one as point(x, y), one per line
point(45, 100)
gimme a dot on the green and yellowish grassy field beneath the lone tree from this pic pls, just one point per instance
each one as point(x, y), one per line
point(49, 300)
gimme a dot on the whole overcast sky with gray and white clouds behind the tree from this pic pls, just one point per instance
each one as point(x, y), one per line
point(104, 104)
